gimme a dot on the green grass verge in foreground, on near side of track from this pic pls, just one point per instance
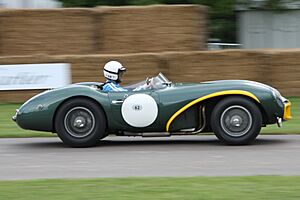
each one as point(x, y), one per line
point(212, 188)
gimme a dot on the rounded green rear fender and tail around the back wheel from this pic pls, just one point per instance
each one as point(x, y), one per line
point(39, 111)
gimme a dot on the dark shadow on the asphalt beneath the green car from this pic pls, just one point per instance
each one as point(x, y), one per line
point(113, 142)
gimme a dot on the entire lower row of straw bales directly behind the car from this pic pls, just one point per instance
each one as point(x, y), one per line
point(279, 69)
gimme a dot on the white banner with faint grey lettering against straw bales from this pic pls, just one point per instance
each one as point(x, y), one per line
point(34, 76)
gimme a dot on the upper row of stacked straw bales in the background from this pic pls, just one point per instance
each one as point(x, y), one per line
point(102, 30)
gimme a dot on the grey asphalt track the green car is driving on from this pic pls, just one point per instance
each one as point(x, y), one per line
point(35, 158)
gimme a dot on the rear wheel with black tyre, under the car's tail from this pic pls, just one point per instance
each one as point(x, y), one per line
point(80, 122)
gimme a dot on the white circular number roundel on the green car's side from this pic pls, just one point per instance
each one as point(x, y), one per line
point(139, 110)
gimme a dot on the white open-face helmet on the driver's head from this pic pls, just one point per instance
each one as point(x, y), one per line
point(112, 69)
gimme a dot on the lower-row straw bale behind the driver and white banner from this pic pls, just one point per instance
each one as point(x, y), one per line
point(85, 68)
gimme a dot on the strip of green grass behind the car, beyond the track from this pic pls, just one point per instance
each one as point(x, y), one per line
point(9, 129)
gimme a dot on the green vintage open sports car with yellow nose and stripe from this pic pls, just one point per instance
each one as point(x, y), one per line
point(82, 114)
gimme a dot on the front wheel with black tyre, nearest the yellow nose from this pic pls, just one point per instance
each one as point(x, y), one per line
point(236, 120)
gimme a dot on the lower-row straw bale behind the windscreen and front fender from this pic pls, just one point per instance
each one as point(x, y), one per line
point(218, 65)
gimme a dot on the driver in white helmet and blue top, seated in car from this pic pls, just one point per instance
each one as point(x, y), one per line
point(113, 72)
